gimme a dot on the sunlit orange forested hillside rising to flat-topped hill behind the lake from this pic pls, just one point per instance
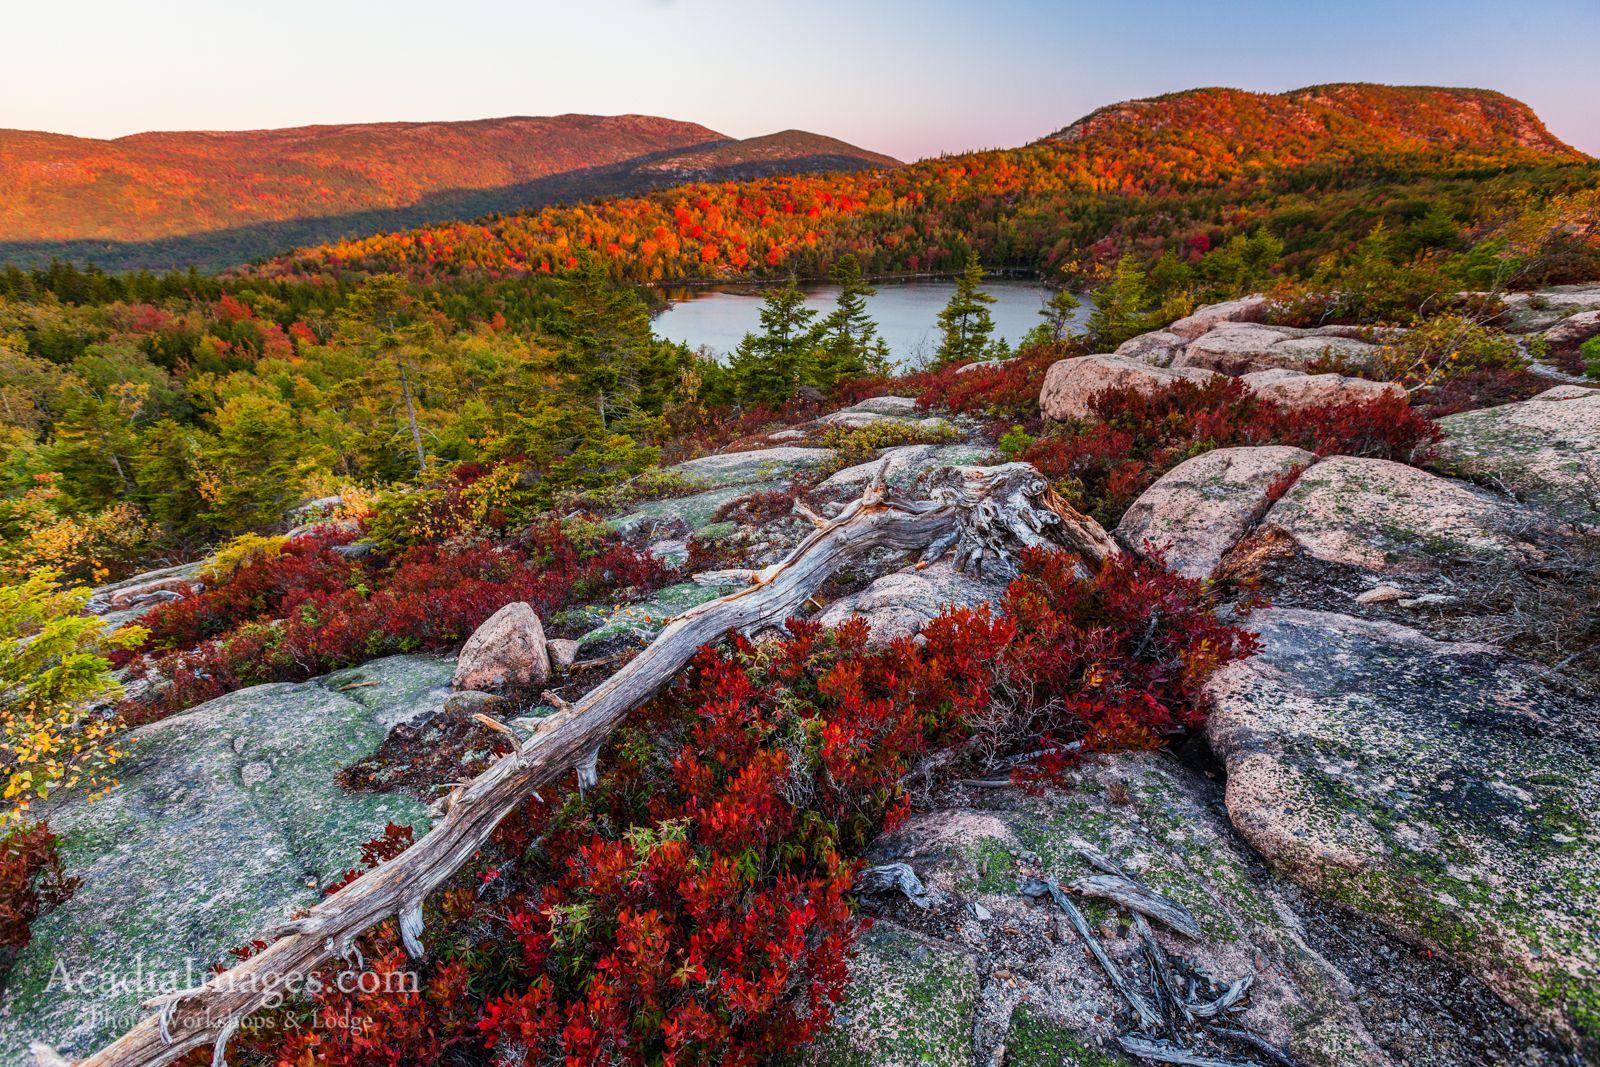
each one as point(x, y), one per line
point(1321, 167)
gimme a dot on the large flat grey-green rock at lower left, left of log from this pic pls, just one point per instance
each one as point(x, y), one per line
point(225, 818)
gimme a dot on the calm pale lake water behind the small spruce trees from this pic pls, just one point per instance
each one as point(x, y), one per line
point(906, 313)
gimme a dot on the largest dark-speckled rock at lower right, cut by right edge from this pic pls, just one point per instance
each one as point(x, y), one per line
point(1438, 788)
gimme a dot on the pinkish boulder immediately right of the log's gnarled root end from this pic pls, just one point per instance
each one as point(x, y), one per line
point(1204, 506)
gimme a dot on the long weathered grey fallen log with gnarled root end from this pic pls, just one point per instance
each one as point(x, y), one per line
point(986, 514)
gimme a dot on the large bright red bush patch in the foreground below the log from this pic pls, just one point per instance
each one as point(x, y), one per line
point(695, 906)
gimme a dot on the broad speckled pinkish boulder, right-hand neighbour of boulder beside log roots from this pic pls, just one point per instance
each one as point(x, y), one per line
point(1388, 518)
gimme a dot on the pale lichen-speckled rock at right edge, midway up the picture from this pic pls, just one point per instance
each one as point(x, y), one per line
point(1546, 449)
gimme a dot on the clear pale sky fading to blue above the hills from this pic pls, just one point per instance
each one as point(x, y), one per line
point(905, 78)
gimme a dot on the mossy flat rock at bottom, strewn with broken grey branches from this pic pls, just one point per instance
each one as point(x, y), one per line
point(1153, 818)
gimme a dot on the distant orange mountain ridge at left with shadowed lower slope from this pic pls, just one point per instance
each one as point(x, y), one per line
point(210, 199)
